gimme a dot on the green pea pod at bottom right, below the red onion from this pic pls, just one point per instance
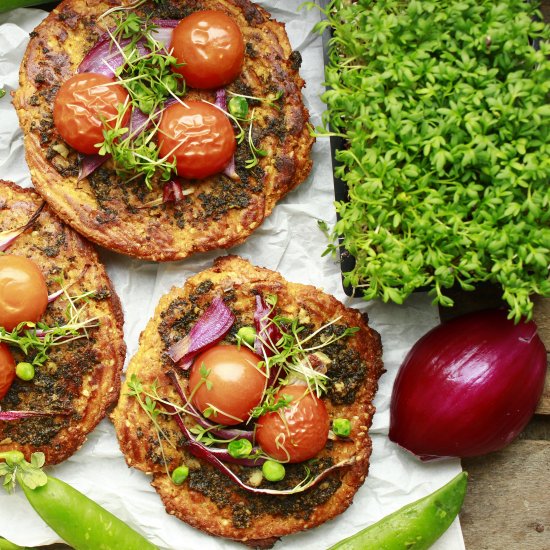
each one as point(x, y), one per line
point(416, 526)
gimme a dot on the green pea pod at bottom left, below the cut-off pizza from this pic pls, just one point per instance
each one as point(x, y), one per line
point(81, 522)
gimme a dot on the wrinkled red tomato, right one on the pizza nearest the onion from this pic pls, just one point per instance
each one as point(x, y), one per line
point(297, 432)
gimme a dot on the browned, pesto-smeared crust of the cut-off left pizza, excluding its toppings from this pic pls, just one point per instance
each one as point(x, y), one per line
point(81, 379)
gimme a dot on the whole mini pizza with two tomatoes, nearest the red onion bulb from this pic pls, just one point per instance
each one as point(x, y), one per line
point(249, 402)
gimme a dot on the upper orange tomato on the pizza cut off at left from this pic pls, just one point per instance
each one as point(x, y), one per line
point(23, 291)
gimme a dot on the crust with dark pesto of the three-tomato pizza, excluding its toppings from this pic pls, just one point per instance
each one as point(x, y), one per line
point(221, 212)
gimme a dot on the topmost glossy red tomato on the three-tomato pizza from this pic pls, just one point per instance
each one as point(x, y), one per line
point(211, 47)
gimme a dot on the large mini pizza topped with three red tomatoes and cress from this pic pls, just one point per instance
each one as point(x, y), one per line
point(160, 130)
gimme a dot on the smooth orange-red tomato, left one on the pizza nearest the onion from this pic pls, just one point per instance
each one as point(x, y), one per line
point(225, 381)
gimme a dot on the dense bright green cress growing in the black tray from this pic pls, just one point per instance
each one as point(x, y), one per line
point(442, 106)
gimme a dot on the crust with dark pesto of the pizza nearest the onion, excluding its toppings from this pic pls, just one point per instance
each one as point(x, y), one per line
point(208, 500)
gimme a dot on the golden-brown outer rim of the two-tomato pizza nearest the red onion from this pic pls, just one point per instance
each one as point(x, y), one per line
point(195, 508)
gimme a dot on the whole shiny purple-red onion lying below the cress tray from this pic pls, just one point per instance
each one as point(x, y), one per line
point(468, 387)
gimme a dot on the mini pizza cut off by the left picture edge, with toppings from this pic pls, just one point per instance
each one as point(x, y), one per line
point(61, 340)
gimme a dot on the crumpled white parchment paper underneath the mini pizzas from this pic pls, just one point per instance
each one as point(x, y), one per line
point(289, 242)
